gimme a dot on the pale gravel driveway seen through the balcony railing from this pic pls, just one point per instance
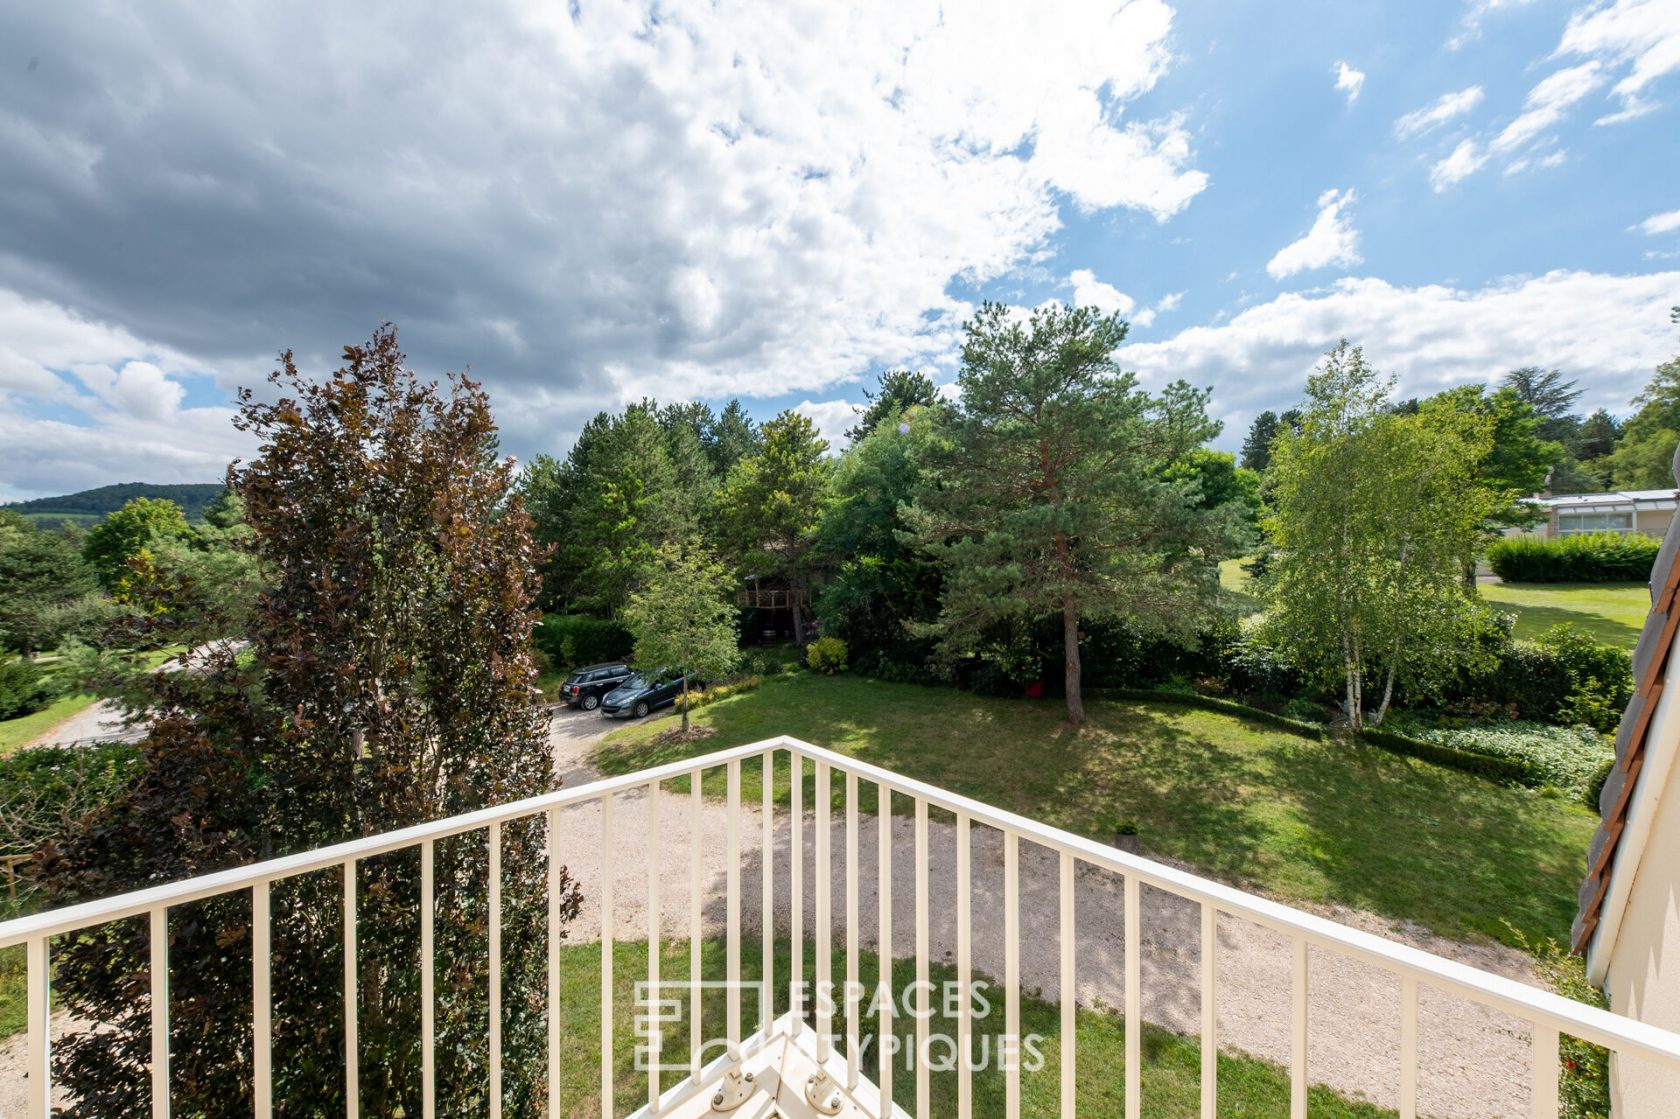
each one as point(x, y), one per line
point(1474, 1063)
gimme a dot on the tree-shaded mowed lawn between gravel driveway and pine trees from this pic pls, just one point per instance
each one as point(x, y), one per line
point(1294, 819)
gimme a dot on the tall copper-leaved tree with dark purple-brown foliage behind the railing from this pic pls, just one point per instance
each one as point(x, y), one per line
point(387, 681)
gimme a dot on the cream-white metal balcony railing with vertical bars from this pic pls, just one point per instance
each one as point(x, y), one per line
point(1546, 1014)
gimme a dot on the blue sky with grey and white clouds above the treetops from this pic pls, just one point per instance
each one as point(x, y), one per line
point(596, 202)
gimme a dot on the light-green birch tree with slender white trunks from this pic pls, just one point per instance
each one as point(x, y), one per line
point(1373, 513)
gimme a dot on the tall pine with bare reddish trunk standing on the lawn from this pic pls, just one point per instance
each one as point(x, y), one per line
point(1054, 500)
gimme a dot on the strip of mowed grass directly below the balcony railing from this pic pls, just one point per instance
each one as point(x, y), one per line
point(1172, 1064)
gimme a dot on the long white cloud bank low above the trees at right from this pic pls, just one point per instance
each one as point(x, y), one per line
point(1610, 332)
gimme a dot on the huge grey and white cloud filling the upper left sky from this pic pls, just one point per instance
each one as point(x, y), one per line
point(582, 201)
